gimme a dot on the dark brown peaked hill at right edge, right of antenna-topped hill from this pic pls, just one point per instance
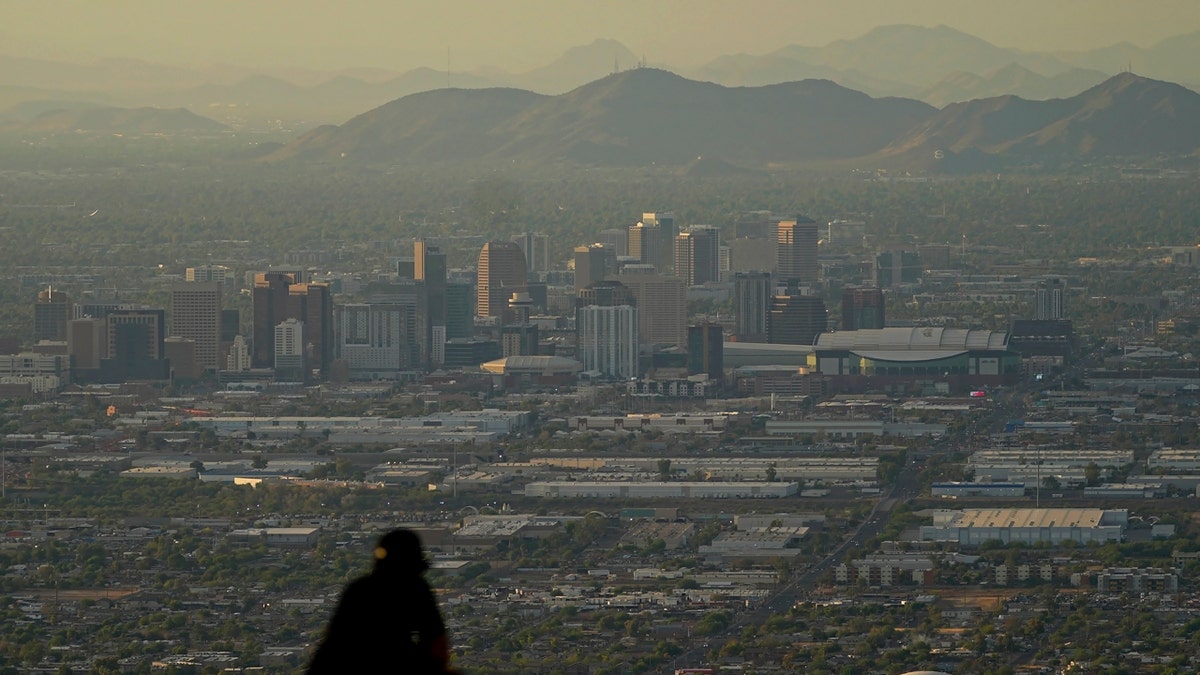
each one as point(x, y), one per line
point(1125, 116)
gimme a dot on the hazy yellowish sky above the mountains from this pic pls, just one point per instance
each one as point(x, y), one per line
point(523, 34)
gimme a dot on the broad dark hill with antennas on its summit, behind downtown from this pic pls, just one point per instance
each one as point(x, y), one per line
point(639, 117)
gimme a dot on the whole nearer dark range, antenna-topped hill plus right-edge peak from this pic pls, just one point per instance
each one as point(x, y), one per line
point(647, 116)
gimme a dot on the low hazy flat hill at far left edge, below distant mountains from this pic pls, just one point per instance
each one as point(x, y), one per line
point(117, 121)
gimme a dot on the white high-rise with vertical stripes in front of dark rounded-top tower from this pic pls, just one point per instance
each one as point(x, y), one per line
point(608, 341)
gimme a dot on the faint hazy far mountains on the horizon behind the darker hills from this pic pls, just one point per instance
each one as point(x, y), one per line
point(938, 65)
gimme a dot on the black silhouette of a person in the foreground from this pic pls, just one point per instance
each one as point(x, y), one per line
point(387, 622)
